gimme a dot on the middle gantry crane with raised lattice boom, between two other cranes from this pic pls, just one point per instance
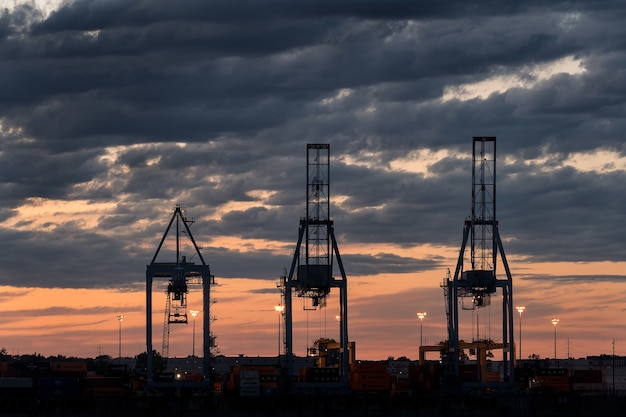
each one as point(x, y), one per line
point(311, 272)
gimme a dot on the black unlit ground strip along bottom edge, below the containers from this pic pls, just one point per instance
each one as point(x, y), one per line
point(519, 404)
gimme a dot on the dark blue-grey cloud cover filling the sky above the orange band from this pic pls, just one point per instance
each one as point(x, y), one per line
point(246, 85)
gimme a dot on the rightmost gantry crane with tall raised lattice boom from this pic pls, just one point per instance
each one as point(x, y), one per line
point(480, 282)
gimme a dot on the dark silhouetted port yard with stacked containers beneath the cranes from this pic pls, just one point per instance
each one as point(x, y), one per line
point(38, 386)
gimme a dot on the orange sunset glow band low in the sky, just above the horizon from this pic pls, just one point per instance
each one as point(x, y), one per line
point(82, 322)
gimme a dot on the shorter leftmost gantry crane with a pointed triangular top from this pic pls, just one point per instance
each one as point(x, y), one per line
point(179, 274)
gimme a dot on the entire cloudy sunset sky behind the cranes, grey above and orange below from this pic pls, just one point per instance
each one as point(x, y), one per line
point(113, 112)
